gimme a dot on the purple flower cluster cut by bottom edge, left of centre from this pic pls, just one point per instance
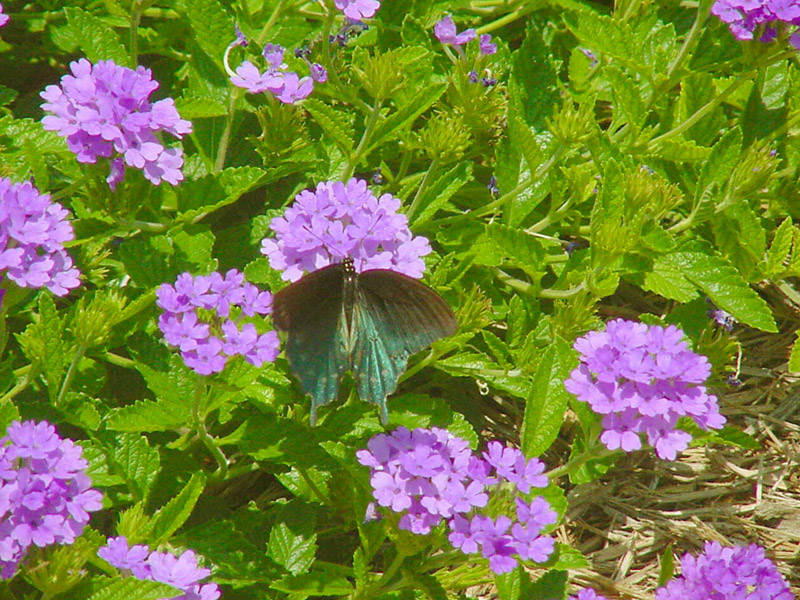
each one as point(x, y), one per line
point(180, 572)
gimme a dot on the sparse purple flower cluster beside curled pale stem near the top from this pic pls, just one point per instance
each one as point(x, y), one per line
point(286, 86)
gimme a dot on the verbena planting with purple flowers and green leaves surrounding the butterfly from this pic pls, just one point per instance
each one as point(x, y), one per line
point(544, 166)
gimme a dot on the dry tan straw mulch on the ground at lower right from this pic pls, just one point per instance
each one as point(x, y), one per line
point(624, 521)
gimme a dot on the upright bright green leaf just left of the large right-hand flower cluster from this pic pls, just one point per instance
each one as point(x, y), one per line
point(545, 407)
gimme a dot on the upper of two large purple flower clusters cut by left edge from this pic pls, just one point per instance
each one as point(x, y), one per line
point(33, 231)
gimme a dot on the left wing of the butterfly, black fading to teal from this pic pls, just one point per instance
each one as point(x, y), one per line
point(310, 311)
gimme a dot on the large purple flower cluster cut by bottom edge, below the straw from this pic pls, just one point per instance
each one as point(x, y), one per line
point(738, 573)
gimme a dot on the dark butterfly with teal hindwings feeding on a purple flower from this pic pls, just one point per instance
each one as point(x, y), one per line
point(368, 323)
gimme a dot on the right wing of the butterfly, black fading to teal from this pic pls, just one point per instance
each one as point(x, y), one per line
point(394, 317)
